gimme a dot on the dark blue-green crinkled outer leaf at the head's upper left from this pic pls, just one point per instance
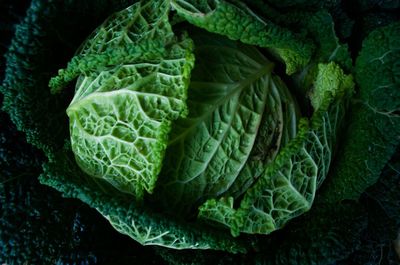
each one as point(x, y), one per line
point(36, 50)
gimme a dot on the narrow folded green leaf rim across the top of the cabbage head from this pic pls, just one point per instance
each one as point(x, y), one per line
point(236, 21)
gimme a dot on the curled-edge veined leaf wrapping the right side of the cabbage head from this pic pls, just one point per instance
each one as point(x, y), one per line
point(287, 188)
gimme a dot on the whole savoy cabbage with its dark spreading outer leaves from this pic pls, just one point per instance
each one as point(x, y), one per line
point(212, 124)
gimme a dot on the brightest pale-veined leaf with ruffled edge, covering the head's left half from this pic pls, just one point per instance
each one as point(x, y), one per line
point(126, 96)
